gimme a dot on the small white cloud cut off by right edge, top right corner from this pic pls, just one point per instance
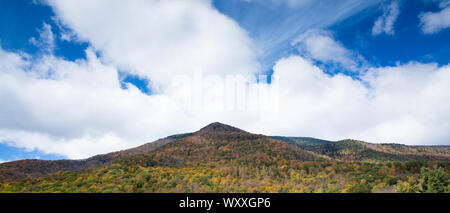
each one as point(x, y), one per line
point(433, 22)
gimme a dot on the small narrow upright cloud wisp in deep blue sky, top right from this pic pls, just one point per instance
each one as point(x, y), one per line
point(385, 23)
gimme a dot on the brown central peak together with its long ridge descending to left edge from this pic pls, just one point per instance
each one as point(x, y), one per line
point(213, 142)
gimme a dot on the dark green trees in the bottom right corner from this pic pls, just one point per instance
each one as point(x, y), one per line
point(434, 180)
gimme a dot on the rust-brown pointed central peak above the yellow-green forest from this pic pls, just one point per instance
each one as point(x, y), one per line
point(221, 143)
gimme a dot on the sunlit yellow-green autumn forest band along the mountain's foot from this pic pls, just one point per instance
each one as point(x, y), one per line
point(131, 176)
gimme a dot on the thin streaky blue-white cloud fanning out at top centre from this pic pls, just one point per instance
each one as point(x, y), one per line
point(274, 27)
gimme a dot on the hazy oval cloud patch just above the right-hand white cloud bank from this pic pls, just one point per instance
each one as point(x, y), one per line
point(320, 45)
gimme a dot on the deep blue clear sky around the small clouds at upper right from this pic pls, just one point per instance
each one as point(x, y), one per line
point(407, 44)
